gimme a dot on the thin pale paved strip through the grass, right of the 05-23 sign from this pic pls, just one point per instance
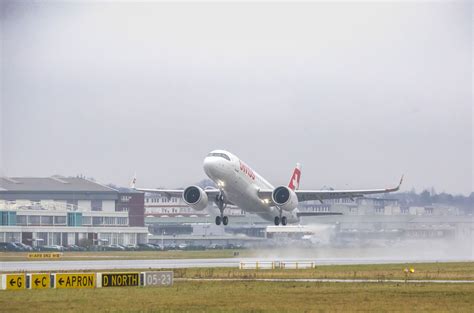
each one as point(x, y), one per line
point(329, 280)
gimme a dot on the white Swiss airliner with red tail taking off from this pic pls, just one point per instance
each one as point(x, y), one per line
point(238, 184)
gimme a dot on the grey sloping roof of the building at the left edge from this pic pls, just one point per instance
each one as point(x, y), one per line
point(51, 184)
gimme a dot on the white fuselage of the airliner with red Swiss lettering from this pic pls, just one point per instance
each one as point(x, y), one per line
point(240, 185)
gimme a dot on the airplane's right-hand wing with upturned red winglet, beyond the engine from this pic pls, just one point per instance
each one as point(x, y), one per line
point(308, 195)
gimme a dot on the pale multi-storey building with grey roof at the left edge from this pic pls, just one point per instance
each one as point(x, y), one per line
point(69, 210)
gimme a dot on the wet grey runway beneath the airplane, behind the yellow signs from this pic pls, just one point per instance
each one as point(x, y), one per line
point(30, 266)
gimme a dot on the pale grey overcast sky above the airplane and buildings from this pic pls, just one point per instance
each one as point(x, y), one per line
point(358, 93)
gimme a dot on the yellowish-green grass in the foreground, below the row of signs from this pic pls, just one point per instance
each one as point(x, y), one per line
point(248, 296)
